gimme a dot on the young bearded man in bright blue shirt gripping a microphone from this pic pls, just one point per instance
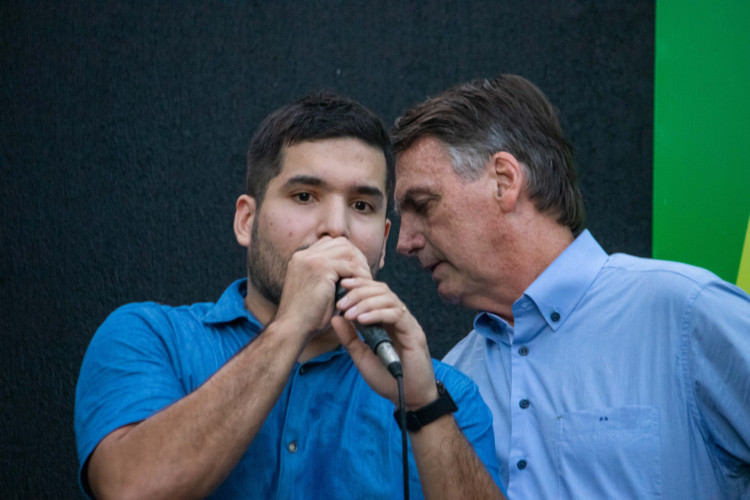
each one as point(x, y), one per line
point(265, 394)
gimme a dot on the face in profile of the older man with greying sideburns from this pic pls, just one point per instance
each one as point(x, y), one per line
point(443, 221)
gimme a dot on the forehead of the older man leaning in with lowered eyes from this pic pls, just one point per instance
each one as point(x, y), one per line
point(424, 166)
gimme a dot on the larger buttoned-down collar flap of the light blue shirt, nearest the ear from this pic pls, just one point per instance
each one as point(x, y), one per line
point(557, 291)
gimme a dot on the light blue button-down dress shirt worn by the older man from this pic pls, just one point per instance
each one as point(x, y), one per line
point(621, 377)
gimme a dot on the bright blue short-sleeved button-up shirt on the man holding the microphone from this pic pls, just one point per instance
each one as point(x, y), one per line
point(328, 436)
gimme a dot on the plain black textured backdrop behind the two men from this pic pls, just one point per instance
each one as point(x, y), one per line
point(122, 152)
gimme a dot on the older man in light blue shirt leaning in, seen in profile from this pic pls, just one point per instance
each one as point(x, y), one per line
point(607, 376)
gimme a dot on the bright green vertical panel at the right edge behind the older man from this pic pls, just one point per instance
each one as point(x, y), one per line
point(702, 133)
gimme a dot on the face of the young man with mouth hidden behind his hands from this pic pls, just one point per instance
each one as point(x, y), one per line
point(332, 187)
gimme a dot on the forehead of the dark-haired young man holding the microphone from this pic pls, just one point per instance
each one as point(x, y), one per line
point(341, 160)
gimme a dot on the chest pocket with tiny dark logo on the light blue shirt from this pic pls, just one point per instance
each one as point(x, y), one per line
point(609, 453)
